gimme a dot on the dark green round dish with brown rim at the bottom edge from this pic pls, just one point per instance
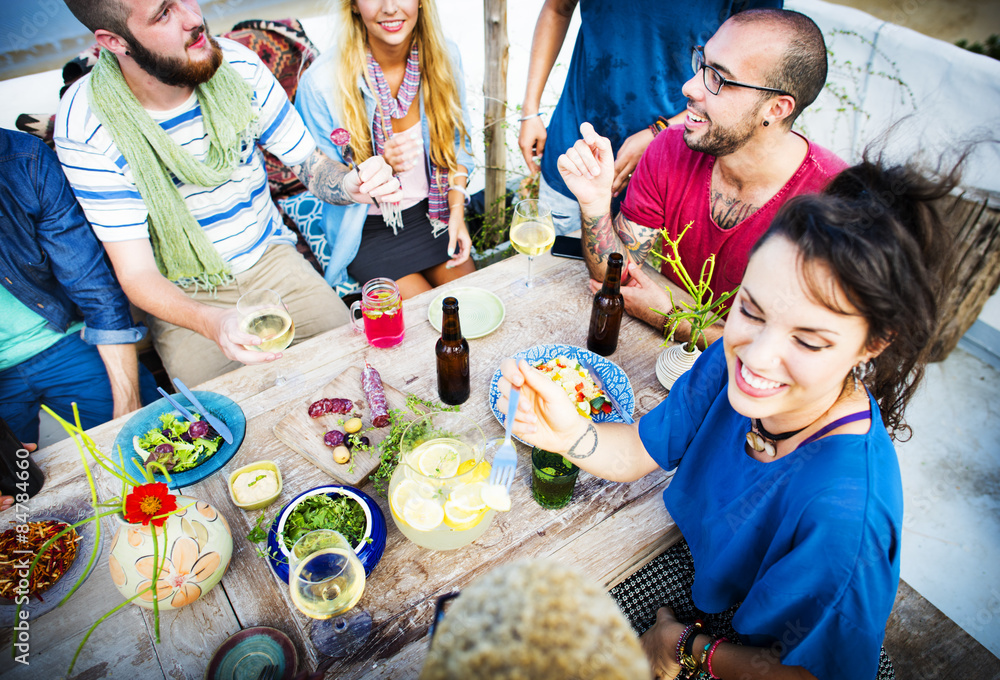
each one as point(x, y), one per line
point(245, 654)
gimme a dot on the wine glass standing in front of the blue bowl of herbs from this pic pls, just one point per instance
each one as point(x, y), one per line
point(326, 579)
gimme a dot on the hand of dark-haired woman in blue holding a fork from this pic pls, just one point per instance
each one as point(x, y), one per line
point(545, 417)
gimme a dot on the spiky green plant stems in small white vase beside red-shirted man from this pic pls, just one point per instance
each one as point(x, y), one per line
point(703, 311)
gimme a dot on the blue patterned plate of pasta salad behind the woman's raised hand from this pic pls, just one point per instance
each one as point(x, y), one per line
point(562, 364)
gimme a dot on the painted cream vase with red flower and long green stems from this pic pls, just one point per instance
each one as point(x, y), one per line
point(168, 550)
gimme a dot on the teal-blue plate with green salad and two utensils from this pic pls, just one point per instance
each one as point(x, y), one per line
point(189, 451)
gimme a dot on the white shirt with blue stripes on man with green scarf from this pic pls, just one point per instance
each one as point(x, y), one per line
point(238, 215)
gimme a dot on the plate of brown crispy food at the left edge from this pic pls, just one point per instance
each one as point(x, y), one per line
point(59, 569)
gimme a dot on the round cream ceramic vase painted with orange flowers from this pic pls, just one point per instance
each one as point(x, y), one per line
point(194, 545)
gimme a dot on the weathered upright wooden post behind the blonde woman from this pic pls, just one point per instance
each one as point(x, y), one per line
point(495, 90)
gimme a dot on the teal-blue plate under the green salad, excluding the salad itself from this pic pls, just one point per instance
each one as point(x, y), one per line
point(147, 418)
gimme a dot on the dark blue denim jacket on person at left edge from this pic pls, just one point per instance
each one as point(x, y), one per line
point(51, 260)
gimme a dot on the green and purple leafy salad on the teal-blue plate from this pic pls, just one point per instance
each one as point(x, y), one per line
point(178, 445)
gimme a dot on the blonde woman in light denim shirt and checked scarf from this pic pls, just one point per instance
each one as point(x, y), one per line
point(396, 85)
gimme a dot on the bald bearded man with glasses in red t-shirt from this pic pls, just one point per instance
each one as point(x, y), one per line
point(726, 170)
